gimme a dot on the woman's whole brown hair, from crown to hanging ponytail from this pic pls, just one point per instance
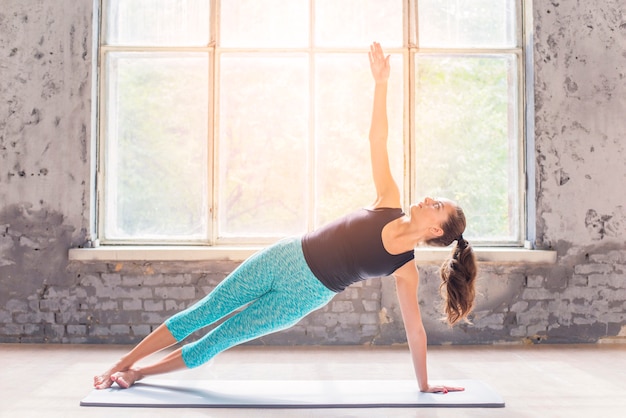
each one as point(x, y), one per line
point(458, 273)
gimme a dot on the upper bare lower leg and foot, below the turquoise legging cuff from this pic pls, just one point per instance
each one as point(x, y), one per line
point(156, 341)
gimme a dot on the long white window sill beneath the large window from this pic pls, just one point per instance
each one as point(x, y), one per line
point(239, 253)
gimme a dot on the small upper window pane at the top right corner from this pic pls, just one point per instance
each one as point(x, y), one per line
point(465, 24)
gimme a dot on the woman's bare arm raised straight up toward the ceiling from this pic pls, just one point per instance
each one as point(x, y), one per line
point(387, 192)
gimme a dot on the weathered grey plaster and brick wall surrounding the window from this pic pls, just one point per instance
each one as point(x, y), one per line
point(45, 152)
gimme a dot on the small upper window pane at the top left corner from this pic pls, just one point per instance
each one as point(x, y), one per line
point(158, 22)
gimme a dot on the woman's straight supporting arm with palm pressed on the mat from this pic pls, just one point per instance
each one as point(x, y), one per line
point(407, 280)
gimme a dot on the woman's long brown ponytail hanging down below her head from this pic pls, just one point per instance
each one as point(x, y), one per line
point(458, 278)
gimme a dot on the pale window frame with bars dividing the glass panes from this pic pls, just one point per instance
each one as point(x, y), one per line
point(409, 50)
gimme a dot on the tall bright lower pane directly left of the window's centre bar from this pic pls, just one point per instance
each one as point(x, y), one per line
point(263, 140)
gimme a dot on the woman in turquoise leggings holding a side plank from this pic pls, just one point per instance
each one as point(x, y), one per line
point(286, 281)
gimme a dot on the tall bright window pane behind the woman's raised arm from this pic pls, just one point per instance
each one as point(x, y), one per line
point(343, 107)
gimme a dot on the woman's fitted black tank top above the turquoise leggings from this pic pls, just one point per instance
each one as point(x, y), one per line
point(351, 249)
